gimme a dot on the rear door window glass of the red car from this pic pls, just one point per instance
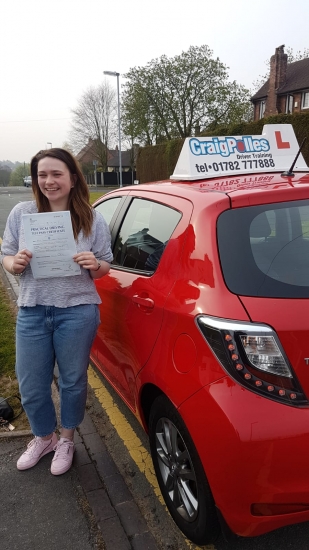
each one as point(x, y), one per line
point(144, 233)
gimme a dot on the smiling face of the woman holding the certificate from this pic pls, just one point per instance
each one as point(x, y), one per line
point(55, 182)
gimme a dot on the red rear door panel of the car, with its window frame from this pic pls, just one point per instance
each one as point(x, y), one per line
point(132, 312)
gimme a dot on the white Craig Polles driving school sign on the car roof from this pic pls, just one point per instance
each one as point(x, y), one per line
point(210, 157)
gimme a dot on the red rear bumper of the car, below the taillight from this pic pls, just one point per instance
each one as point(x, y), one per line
point(252, 451)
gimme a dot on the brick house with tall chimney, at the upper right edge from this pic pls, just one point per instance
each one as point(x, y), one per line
point(286, 90)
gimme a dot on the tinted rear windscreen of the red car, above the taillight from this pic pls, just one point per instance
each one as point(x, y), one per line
point(264, 250)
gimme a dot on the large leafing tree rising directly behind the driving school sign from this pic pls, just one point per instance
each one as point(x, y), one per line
point(179, 96)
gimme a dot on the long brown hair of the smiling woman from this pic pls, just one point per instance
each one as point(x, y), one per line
point(78, 202)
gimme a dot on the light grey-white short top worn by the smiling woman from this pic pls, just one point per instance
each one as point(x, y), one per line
point(57, 291)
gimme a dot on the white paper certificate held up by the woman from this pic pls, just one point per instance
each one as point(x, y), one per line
point(49, 236)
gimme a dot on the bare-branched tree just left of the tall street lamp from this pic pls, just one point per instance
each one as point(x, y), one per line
point(95, 119)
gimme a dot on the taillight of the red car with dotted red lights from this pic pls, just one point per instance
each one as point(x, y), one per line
point(253, 356)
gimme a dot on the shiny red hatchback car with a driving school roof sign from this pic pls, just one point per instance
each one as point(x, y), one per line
point(204, 330)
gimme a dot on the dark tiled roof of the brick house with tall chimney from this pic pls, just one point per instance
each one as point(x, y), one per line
point(297, 78)
